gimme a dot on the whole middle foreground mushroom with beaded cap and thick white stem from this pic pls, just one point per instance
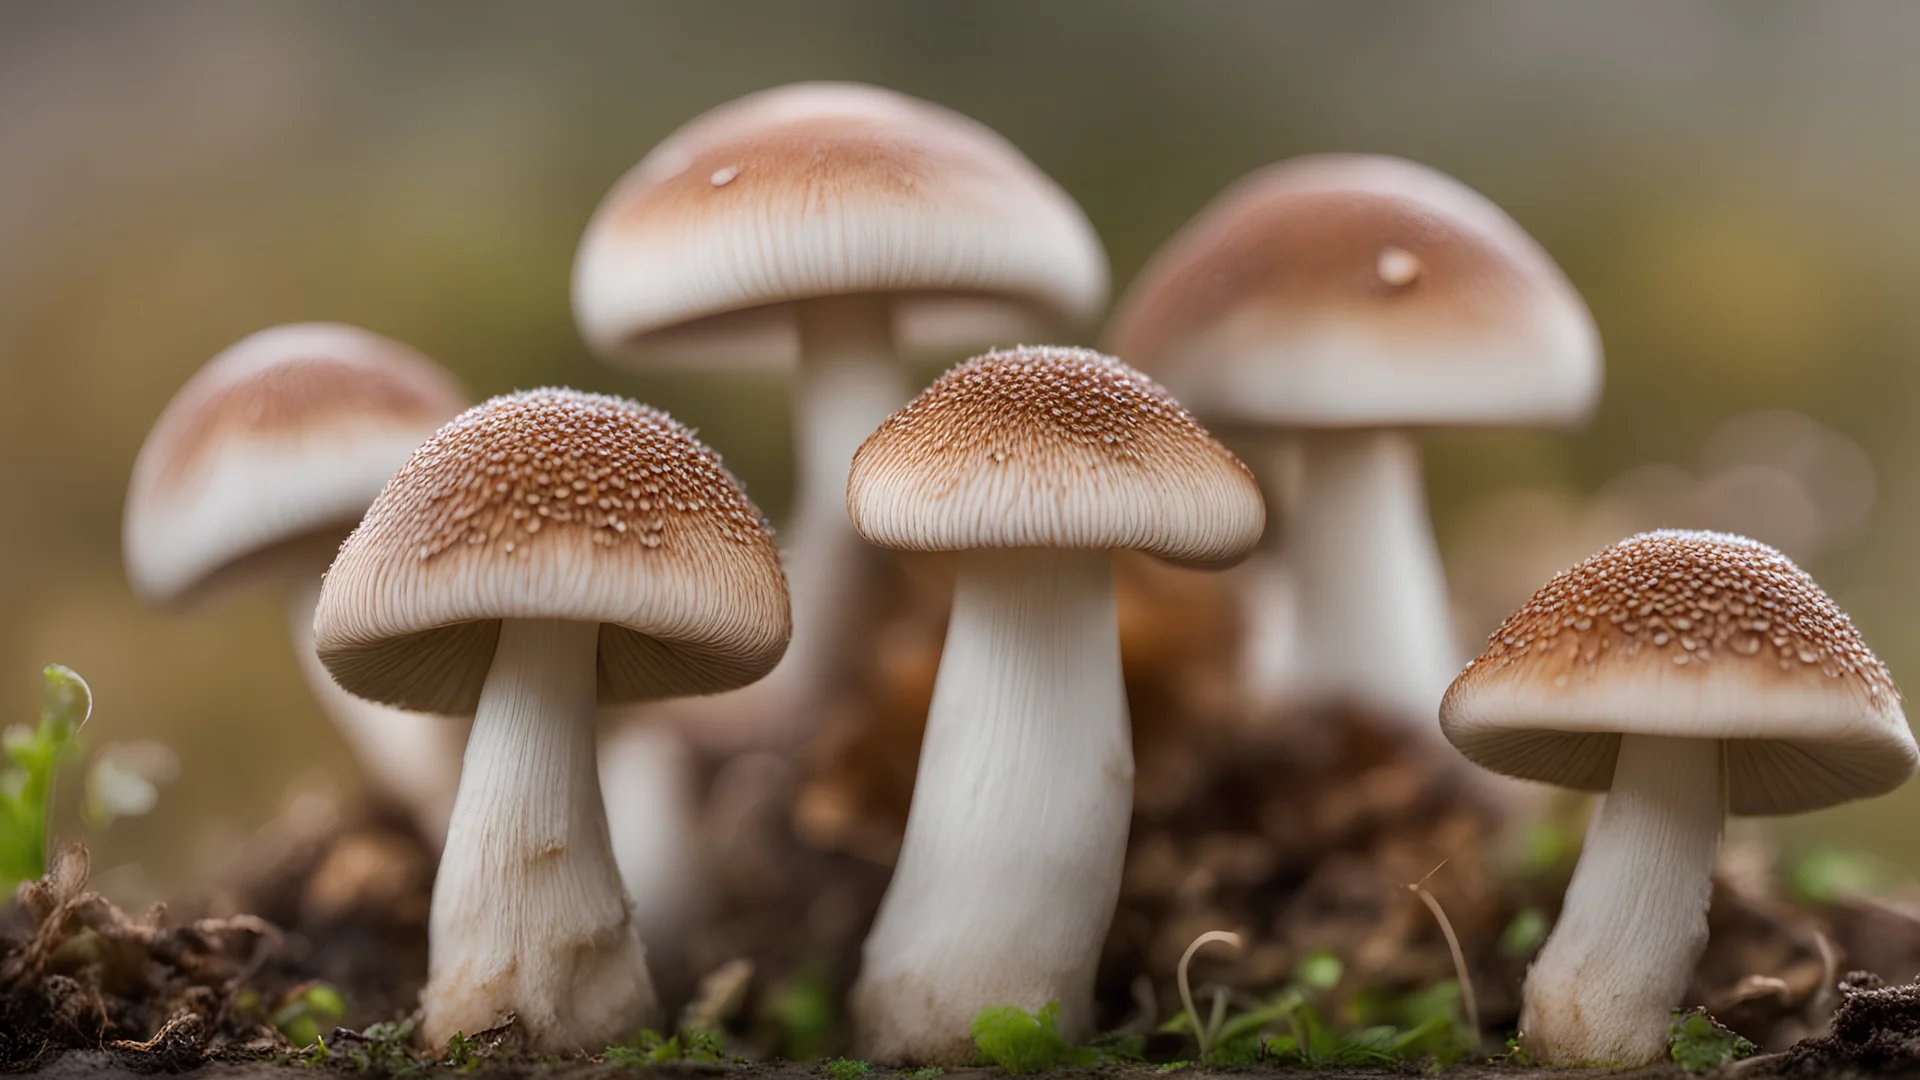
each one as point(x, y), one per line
point(1036, 466)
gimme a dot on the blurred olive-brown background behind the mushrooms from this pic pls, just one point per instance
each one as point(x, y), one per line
point(1731, 185)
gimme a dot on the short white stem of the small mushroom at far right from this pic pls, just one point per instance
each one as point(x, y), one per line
point(1635, 921)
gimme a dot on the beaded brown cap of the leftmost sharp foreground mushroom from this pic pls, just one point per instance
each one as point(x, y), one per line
point(556, 504)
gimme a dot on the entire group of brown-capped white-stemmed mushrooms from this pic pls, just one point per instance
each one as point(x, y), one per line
point(519, 566)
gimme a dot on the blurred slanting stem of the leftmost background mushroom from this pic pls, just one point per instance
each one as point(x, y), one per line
point(410, 758)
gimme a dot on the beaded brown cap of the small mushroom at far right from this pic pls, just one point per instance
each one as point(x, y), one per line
point(1687, 635)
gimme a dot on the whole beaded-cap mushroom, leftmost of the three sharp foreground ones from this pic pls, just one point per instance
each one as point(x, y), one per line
point(542, 554)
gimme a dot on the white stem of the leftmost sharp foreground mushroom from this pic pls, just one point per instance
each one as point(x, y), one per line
point(529, 914)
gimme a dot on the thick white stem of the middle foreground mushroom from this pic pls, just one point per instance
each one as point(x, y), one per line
point(1011, 866)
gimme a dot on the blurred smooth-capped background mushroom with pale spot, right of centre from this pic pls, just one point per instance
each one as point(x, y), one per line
point(1333, 303)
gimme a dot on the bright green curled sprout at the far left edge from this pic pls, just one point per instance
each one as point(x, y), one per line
point(34, 756)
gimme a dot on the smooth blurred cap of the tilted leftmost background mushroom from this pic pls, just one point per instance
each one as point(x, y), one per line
point(283, 437)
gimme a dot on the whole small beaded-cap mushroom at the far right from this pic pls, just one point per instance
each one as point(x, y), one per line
point(1687, 675)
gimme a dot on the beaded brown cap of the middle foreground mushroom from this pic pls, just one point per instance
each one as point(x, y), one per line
point(1045, 447)
